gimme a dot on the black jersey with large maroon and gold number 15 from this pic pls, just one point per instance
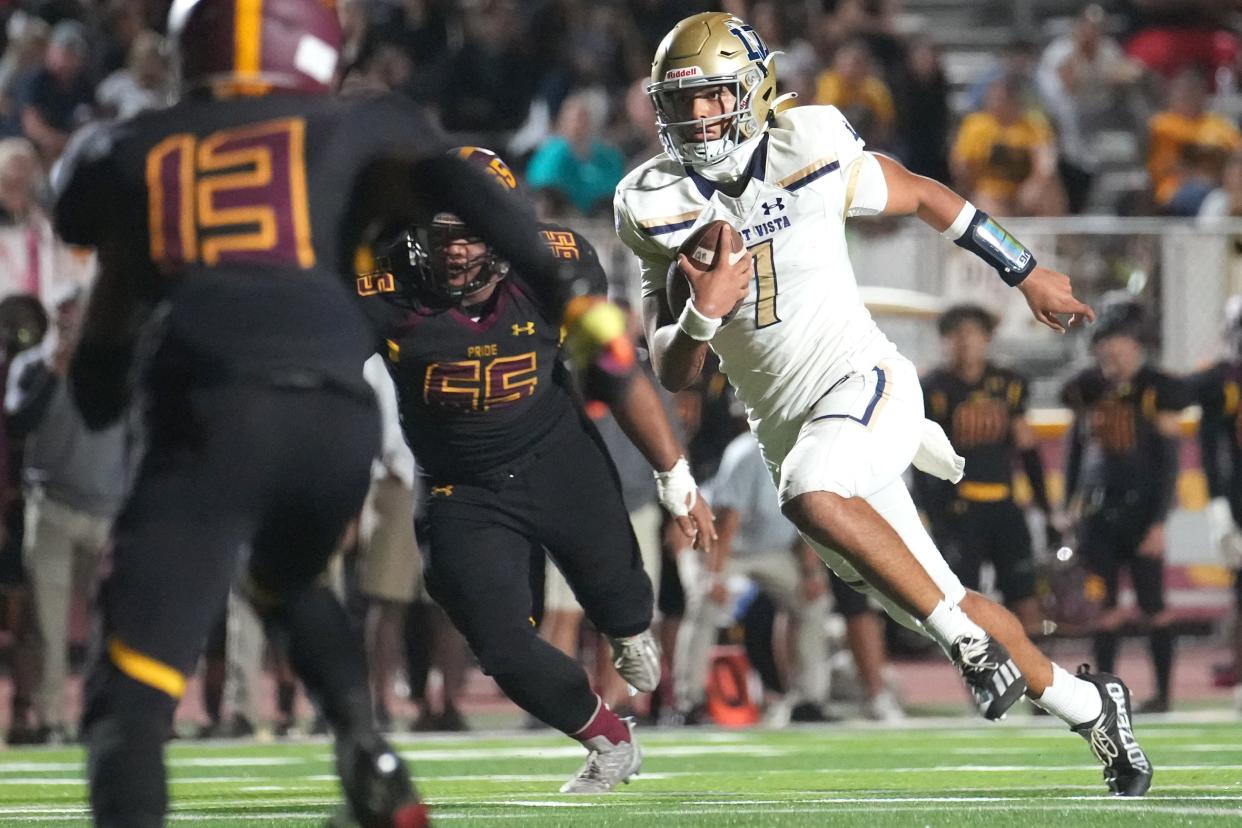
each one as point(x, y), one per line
point(244, 215)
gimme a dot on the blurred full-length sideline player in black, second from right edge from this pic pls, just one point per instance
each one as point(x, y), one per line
point(1122, 469)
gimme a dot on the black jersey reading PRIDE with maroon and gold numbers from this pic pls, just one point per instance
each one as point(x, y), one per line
point(481, 395)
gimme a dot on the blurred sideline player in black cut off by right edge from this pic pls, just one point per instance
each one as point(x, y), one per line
point(1219, 392)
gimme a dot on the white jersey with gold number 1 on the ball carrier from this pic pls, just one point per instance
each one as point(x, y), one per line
point(803, 326)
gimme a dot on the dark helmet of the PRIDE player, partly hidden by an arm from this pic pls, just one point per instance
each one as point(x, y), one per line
point(427, 246)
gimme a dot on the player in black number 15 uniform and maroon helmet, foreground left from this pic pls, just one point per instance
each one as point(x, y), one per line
point(225, 228)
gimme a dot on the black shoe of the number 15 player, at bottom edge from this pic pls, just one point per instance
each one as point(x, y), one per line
point(377, 783)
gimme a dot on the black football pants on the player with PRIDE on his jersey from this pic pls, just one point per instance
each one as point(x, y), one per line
point(564, 497)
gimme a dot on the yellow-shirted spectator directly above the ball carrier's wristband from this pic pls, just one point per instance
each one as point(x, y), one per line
point(1005, 157)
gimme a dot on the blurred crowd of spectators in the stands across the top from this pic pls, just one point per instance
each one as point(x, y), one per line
point(557, 86)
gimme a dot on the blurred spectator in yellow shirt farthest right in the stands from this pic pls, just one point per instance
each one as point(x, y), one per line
point(1189, 147)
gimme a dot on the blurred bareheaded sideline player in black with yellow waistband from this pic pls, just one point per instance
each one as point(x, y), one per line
point(983, 409)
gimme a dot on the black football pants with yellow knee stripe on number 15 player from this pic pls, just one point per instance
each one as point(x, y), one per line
point(283, 471)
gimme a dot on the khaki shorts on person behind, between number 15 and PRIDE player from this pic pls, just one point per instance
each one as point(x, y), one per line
point(389, 565)
